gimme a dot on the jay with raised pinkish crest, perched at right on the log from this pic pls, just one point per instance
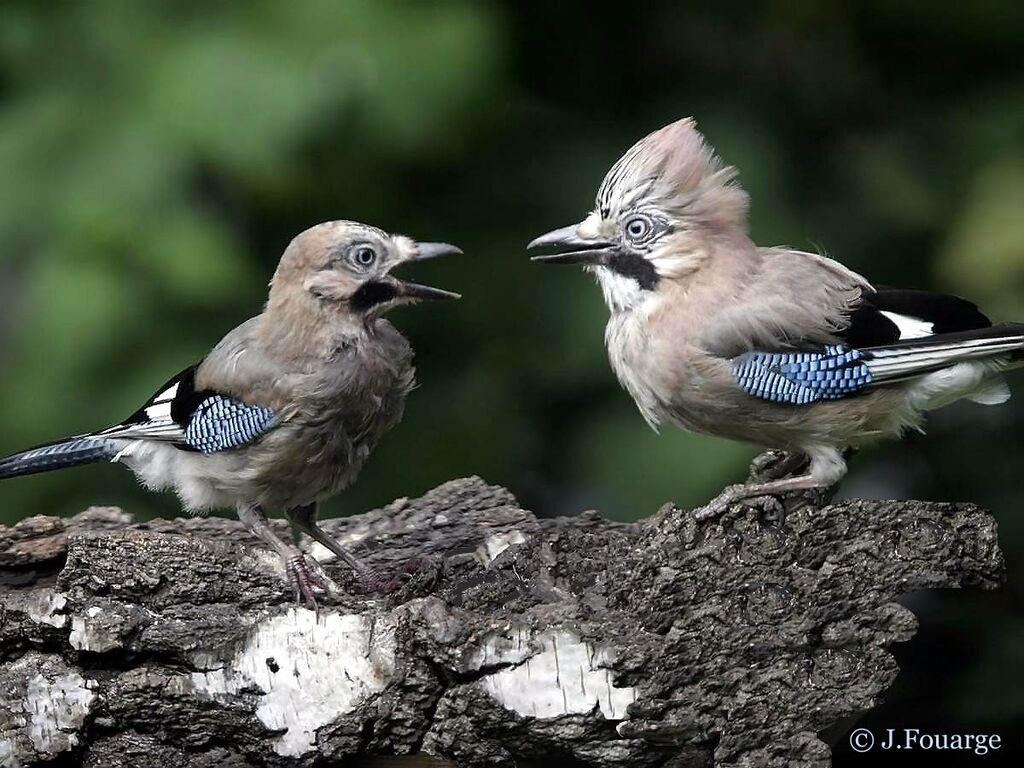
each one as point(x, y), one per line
point(772, 347)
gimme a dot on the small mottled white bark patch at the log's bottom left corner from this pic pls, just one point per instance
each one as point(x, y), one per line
point(57, 710)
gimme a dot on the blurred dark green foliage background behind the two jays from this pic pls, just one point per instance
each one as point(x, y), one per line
point(156, 158)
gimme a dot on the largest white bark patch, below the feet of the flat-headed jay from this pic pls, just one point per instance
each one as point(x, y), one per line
point(311, 671)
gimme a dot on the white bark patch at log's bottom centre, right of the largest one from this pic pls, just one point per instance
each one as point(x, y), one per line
point(568, 677)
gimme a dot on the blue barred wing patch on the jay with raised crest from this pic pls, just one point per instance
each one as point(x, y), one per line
point(801, 378)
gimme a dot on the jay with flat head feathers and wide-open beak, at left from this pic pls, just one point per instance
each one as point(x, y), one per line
point(289, 405)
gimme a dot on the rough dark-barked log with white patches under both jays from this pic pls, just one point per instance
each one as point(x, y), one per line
point(517, 642)
